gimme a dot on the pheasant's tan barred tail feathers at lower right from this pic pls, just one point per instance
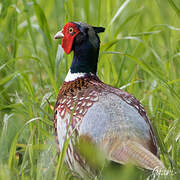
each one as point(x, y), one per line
point(135, 153)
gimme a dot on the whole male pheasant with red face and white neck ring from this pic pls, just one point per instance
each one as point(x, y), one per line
point(107, 117)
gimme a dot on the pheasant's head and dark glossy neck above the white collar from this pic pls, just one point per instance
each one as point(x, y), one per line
point(84, 41)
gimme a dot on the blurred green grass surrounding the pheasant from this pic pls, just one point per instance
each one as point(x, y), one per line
point(140, 52)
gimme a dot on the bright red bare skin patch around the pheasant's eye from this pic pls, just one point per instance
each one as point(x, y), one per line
point(70, 30)
